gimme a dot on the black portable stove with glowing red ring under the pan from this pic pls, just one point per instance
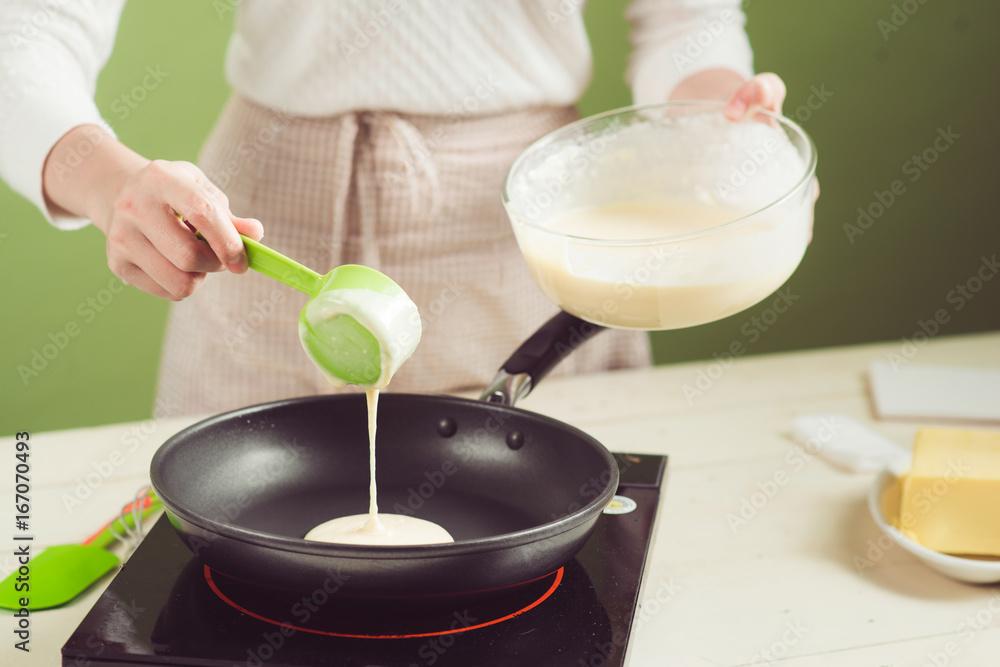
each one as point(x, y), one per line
point(167, 608)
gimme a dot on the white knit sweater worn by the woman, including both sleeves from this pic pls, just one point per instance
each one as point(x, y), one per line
point(324, 57)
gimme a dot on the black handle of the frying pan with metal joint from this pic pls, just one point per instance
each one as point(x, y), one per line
point(538, 355)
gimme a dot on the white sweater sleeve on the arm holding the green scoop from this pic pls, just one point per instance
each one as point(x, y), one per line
point(50, 56)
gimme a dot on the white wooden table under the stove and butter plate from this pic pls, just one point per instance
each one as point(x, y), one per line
point(782, 588)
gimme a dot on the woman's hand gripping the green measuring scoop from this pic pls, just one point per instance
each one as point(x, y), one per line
point(132, 200)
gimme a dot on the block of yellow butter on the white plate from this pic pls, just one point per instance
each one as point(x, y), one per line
point(951, 497)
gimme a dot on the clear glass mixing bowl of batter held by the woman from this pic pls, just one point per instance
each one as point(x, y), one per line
point(663, 216)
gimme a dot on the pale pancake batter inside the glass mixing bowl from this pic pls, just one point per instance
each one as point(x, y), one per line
point(665, 285)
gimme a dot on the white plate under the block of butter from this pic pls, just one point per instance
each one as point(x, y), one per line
point(883, 504)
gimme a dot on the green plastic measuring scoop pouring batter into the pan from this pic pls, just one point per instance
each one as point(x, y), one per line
point(341, 346)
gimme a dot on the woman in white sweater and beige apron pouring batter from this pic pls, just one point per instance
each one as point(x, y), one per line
point(372, 133)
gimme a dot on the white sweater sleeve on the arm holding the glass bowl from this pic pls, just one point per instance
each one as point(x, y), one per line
point(672, 39)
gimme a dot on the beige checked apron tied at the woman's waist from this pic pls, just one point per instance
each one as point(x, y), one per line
point(417, 197)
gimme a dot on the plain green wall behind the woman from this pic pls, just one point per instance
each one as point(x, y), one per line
point(890, 94)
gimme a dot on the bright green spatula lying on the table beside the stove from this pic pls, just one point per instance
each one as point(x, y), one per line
point(59, 574)
